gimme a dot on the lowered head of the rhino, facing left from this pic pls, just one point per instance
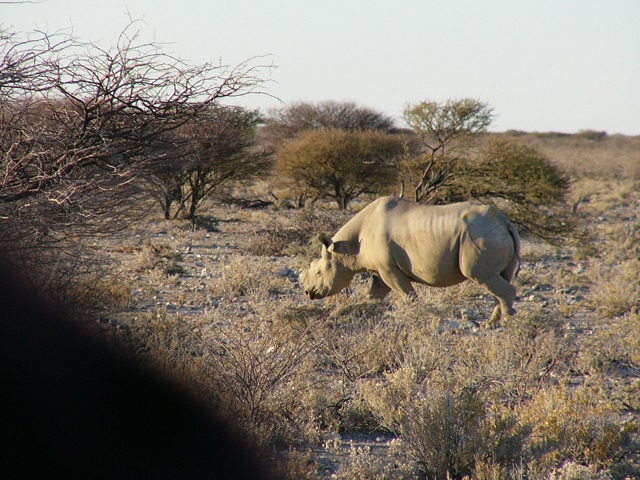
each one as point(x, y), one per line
point(327, 275)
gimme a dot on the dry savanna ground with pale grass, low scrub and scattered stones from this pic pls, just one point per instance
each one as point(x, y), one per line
point(350, 388)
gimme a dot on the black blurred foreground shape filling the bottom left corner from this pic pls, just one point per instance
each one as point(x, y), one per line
point(72, 408)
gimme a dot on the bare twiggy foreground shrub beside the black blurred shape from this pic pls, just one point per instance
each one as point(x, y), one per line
point(259, 376)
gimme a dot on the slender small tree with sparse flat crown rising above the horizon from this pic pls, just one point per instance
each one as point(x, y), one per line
point(447, 131)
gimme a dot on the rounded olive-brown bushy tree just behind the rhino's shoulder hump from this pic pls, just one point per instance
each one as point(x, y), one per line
point(341, 164)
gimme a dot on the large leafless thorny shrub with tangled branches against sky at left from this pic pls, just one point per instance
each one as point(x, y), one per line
point(79, 124)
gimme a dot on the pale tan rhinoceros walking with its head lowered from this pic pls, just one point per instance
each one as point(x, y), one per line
point(401, 242)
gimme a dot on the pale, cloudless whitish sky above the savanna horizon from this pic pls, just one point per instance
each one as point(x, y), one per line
point(542, 65)
